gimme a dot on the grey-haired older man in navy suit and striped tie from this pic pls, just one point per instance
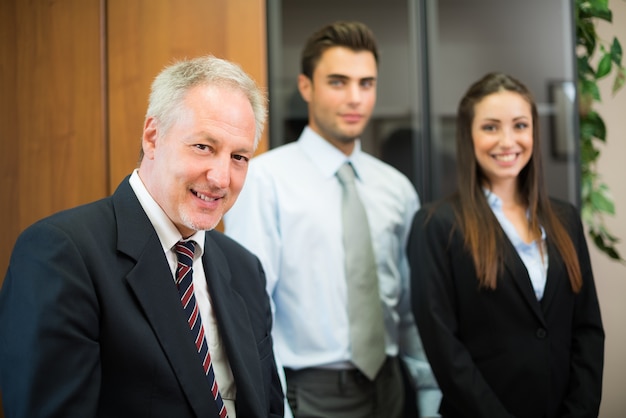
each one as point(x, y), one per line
point(132, 306)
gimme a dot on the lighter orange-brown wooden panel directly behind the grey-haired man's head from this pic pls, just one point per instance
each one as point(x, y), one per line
point(146, 35)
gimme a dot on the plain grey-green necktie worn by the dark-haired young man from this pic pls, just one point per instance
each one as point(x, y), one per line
point(367, 330)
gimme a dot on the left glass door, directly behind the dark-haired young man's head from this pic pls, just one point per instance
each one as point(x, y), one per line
point(395, 130)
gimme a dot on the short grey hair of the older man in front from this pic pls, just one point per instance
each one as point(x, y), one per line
point(170, 86)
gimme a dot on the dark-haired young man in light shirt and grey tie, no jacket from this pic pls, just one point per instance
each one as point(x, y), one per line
point(290, 214)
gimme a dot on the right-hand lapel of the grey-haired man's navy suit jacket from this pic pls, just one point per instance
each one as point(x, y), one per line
point(235, 329)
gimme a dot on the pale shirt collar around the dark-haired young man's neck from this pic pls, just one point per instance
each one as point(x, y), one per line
point(326, 157)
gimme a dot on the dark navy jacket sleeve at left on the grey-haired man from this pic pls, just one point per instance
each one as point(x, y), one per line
point(49, 329)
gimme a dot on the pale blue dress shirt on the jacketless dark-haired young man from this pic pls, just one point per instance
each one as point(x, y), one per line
point(289, 215)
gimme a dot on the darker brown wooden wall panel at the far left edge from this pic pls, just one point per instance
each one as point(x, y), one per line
point(51, 110)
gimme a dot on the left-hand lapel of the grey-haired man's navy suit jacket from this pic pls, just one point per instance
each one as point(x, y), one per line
point(153, 285)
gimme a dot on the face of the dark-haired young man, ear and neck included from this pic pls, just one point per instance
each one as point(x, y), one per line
point(341, 96)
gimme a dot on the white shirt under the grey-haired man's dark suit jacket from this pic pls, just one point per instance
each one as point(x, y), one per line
point(169, 235)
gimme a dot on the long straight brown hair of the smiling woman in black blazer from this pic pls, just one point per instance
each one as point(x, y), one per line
point(480, 227)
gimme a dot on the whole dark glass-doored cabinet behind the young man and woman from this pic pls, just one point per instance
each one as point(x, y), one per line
point(430, 52)
